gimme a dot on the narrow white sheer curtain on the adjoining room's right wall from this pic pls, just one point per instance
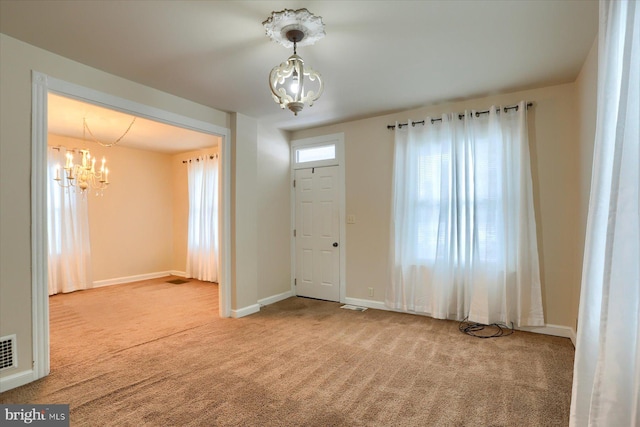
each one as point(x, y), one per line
point(202, 249)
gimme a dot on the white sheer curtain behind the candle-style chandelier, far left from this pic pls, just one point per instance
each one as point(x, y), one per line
point(69, 249)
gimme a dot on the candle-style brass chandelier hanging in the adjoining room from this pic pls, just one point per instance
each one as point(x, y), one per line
point(83, 175)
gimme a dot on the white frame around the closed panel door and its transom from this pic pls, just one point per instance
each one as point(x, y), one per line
point(338, 140)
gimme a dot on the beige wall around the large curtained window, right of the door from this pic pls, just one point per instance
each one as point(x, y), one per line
point(554, 142)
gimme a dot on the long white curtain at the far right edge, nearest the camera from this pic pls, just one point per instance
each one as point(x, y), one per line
point(606, 378)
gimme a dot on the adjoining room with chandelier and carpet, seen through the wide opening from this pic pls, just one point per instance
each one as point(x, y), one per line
point(136, 228)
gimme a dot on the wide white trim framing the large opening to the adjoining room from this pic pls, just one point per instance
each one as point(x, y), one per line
point(41, 85)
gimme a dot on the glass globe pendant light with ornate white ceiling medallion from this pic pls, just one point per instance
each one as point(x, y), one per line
point(292, 84)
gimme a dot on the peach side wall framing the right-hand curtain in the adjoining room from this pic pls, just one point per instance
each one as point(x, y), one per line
point(180, 209)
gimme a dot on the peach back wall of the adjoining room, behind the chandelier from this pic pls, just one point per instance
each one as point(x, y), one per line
point(131, 222)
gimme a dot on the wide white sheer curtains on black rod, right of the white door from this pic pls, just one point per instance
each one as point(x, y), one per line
point(463, 234)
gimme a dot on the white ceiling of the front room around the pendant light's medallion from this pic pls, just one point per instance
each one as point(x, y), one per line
point(377, 56)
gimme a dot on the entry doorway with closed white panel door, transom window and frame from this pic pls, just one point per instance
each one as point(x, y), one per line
point(318, 241)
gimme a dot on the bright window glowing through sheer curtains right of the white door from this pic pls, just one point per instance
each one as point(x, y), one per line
point(460, 196)
